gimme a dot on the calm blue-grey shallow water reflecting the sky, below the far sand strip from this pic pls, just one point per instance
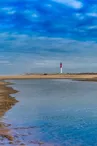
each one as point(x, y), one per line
point(55, 112)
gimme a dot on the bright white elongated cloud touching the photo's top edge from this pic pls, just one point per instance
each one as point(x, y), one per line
point(72, 3)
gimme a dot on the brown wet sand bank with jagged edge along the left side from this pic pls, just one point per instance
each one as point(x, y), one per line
point(6, 103)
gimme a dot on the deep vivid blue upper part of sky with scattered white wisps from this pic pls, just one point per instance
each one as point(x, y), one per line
point(49, 18)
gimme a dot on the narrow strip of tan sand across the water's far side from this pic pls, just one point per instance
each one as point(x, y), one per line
point(77, 77)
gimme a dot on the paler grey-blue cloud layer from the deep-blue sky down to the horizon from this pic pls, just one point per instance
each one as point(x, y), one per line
point(23, 53)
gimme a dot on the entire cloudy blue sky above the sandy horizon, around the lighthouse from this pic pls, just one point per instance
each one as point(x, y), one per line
point(36, 35)
